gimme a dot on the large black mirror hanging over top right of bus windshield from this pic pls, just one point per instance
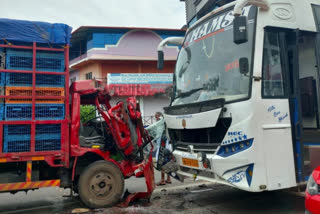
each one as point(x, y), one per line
point(240, 29)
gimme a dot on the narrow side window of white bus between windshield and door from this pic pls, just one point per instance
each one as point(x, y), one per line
point(272, 76)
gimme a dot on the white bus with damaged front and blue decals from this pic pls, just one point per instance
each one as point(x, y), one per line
point(246, 112)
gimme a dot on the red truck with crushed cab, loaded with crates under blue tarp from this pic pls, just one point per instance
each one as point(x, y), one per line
point(42, 140)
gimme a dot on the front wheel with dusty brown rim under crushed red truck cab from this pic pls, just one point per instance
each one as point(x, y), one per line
point(101, 184)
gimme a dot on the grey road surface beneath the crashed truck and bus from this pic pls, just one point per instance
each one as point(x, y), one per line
point(174, 198)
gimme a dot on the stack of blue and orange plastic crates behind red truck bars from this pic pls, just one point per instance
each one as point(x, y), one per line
point(33, 80)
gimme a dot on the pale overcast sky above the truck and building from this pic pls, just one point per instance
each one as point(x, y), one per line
point(76, 13)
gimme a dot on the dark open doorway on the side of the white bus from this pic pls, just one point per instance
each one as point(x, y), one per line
point(303, 57)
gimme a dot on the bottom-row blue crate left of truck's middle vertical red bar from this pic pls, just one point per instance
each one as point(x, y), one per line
point(16, 145)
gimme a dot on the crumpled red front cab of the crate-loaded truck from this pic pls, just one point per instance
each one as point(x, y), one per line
point(116, 133)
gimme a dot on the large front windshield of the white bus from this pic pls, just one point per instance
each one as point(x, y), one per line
point(208, 64)
